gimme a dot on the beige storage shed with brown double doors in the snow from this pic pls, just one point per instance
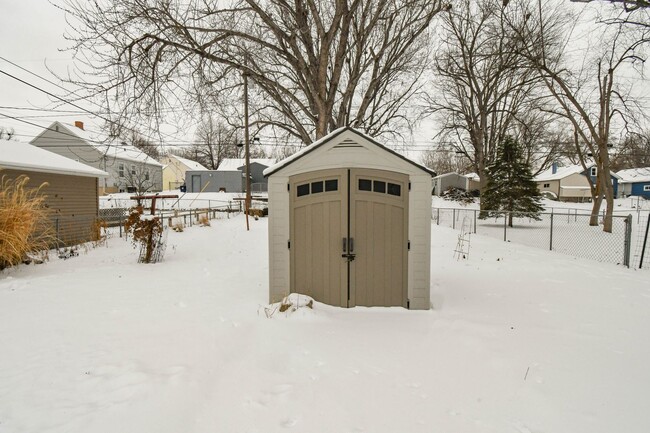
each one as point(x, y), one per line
point(350, 224)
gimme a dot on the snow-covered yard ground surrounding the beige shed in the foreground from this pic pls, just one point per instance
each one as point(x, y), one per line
point(519, 340)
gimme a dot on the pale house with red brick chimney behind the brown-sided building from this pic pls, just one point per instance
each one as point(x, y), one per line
point(129, 169)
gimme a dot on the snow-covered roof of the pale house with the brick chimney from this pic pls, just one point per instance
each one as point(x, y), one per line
point(111, 149)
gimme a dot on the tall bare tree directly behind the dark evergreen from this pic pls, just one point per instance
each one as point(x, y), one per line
point(482, 90)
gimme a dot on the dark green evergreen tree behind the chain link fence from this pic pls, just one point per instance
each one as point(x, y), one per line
point(510, 186)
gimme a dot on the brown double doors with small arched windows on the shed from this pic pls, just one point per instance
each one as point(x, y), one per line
point(349, 230)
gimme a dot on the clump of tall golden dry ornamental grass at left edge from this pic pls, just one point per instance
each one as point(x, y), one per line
point(24, 224)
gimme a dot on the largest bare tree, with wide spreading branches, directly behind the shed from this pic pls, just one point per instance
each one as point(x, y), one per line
point(318, 64)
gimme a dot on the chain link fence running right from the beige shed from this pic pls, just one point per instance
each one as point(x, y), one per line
point(566, 232)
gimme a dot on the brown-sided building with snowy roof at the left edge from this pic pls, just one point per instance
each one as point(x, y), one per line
point(71, 189)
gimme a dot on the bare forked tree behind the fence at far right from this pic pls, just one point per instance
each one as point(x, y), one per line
point(588, 97)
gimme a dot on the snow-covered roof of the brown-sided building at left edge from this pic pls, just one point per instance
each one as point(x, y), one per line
point(17, 155)
